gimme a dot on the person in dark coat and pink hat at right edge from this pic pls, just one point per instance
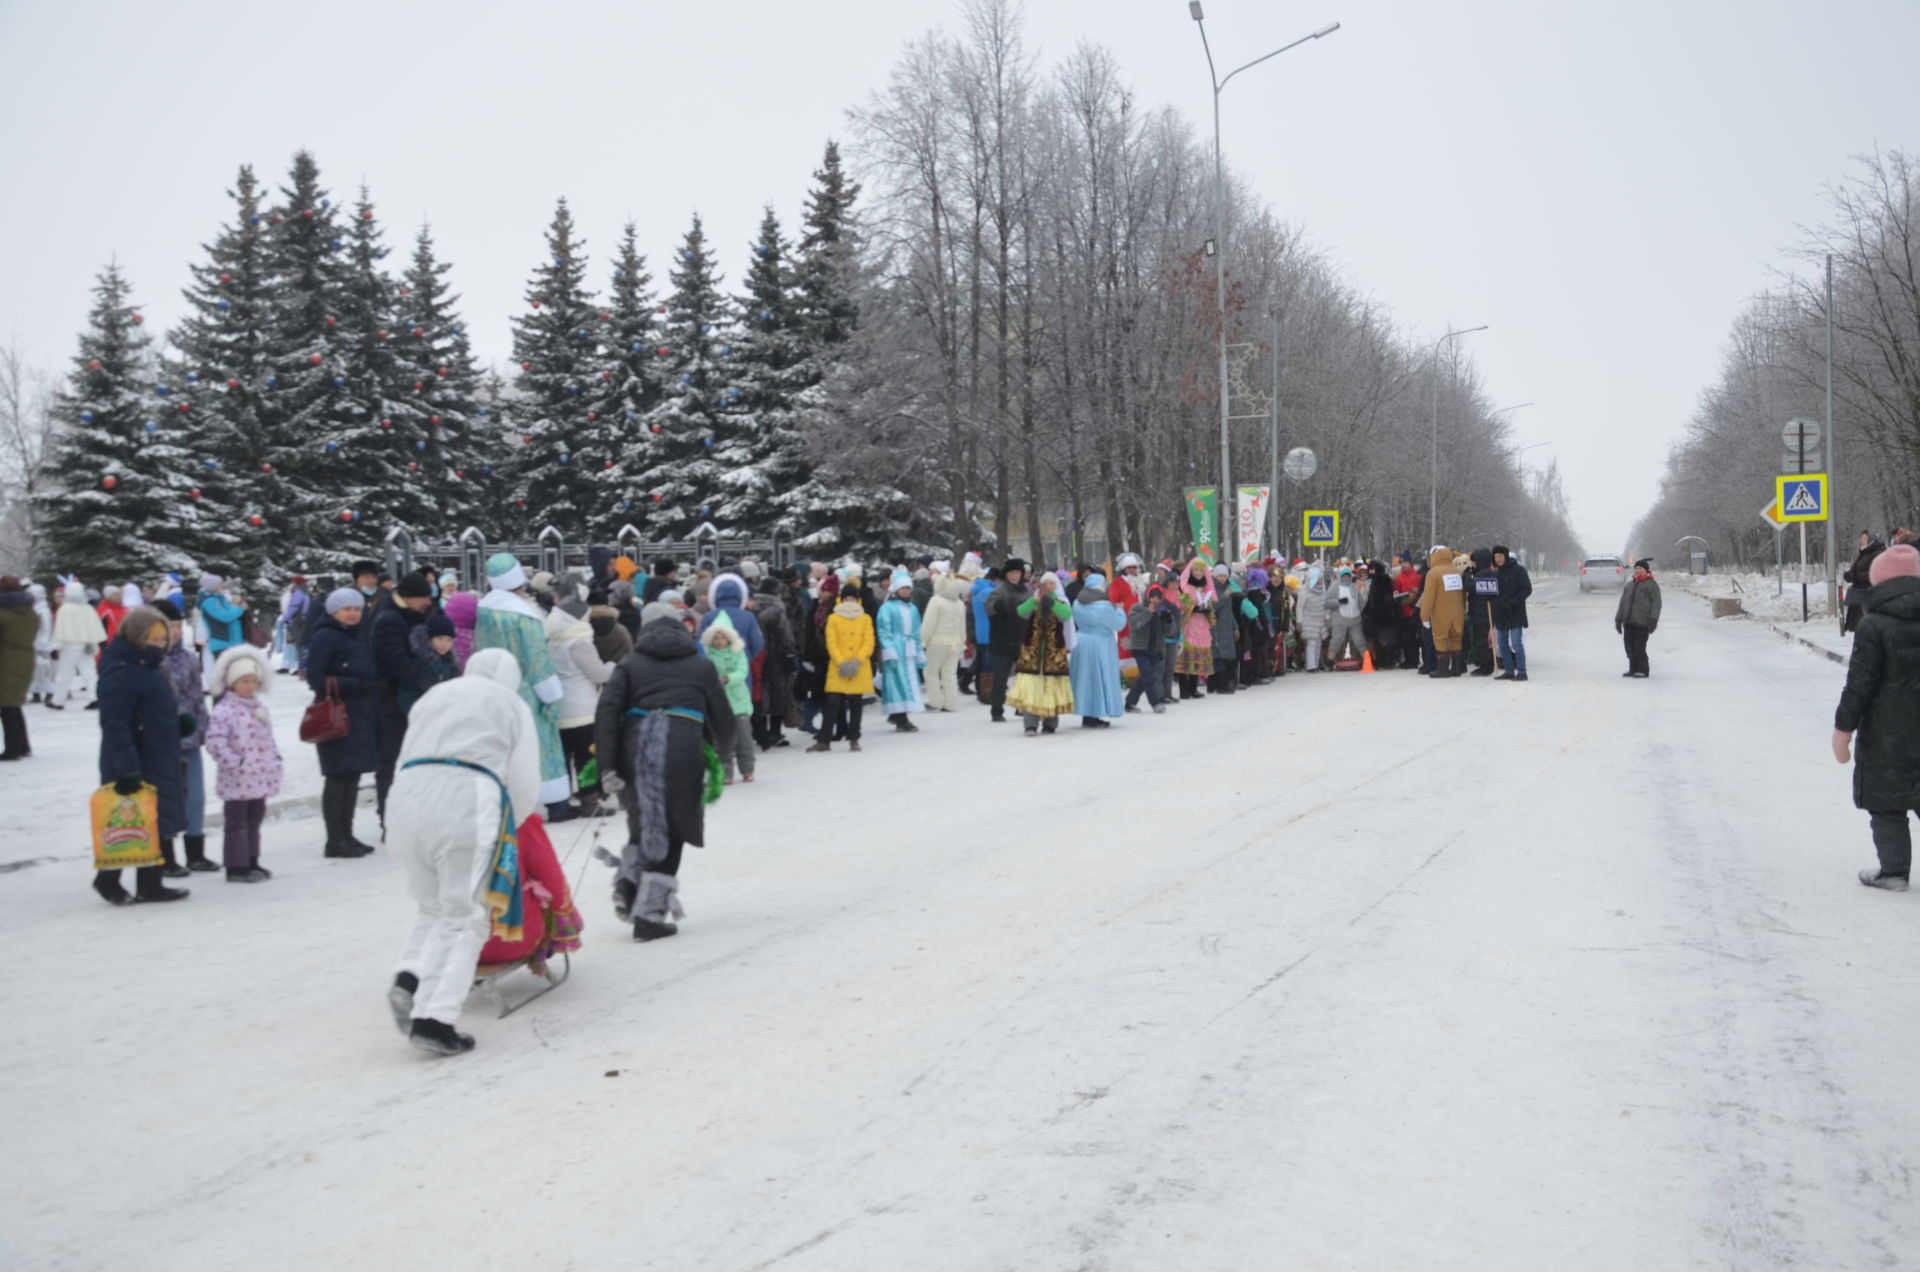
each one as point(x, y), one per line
point(1881, 706)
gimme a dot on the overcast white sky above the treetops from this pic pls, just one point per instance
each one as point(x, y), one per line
point(1602, 185)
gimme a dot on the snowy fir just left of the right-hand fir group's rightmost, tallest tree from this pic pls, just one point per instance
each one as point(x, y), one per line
point(761, 451)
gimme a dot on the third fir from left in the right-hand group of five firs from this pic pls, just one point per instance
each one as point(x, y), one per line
point(686, 424)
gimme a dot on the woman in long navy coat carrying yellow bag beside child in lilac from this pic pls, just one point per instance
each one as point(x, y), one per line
point(141, 731)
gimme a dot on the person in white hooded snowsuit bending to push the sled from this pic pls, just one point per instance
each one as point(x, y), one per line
point(468, 771)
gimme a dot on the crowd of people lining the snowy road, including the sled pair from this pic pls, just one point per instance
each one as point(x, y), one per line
point(489, 714)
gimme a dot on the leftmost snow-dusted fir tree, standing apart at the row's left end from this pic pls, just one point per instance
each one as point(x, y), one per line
point(122, 506)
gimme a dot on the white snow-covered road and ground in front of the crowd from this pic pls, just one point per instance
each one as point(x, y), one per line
point(1343, 973)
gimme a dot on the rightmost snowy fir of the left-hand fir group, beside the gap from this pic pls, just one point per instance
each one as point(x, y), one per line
point(444, 422)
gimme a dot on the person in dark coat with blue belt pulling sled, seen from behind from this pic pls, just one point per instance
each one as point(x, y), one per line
point(656, 716)
